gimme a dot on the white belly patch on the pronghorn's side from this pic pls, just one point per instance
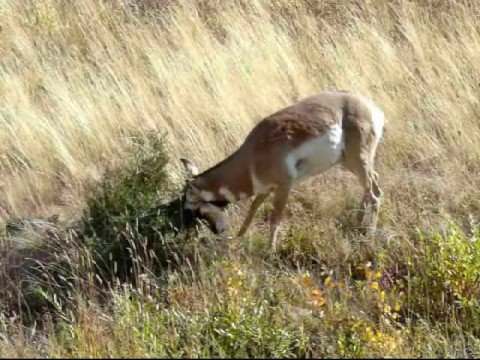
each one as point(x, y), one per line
point(316, 155)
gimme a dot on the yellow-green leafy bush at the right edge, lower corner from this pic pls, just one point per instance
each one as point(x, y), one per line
point(444, 277)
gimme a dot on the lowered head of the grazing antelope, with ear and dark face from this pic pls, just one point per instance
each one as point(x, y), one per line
point(201, 205)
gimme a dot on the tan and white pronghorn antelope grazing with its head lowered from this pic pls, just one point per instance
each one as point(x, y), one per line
point(299, 141)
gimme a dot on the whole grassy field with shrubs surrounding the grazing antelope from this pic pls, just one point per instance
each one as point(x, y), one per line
point(95, 92)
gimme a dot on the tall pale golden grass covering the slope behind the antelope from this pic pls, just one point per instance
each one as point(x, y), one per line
point(77, 77)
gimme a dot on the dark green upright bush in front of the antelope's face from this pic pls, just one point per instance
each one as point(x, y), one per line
point(126, 228)
